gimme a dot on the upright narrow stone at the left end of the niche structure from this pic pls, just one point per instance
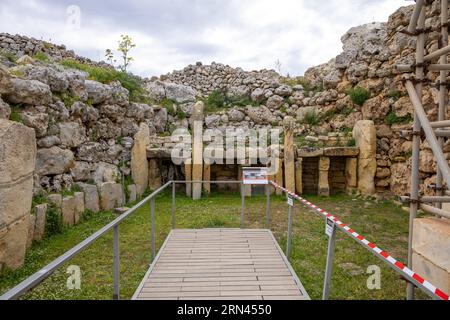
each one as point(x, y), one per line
point(139, 163)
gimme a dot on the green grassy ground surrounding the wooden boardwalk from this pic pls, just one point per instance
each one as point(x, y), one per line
point(382, 222)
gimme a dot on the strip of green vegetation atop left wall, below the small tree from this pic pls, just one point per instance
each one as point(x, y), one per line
point(132, 83)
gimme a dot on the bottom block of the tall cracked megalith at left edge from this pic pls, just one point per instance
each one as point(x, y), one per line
point(13, 243)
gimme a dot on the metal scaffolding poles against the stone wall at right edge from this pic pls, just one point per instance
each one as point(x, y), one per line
point(436, 133)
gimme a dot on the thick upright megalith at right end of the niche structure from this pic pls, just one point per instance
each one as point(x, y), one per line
point(365, 135)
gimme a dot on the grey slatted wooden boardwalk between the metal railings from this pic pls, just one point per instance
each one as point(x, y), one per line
point(221, 264)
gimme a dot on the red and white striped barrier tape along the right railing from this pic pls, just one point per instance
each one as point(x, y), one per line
point(389, 259)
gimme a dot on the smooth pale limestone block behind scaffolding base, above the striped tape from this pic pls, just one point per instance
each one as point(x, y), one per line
point(432, 240)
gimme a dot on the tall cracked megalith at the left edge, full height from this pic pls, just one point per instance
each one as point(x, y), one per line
point(17, 164)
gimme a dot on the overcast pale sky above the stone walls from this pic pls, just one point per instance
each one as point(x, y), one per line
point(171, 34)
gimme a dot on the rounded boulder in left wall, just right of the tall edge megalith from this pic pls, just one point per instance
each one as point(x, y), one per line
point(54, 161)
